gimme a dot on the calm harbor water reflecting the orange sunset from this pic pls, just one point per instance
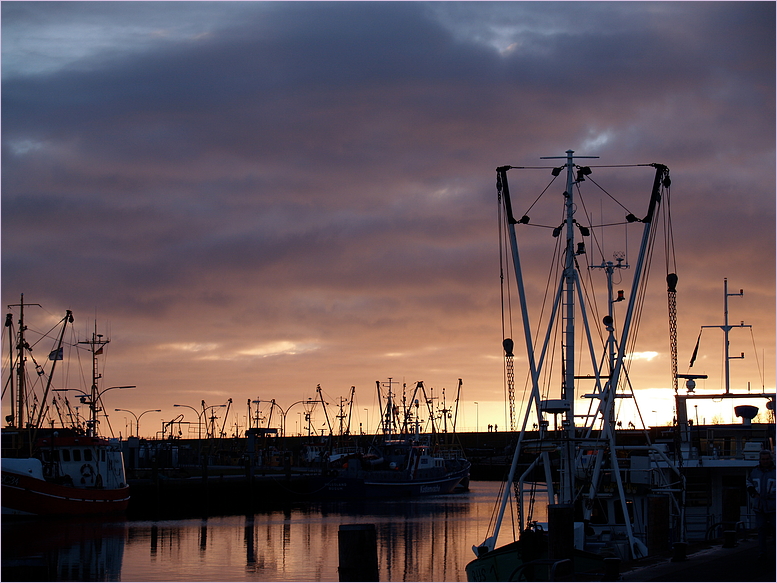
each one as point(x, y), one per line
point(426, 539)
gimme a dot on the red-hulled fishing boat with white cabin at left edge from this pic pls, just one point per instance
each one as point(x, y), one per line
point(55, 470)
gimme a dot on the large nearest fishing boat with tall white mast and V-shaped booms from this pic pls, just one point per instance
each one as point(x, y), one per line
point(605, 498)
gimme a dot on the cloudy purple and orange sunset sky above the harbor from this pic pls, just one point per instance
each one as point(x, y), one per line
point(252, 199)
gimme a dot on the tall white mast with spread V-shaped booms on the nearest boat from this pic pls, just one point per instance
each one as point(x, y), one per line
point(563, 306)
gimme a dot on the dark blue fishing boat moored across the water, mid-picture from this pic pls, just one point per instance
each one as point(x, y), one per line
point(401, 461)
